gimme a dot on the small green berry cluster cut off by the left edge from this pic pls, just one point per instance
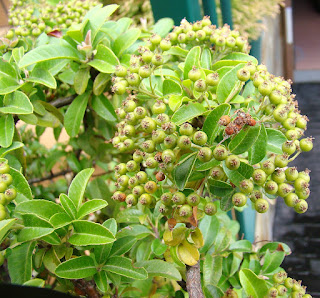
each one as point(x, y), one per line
point(7, 192)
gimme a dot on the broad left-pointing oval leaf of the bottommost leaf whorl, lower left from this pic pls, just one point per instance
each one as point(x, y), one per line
point(76, 268)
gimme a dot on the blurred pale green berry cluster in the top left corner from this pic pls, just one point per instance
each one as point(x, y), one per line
point(26, 20)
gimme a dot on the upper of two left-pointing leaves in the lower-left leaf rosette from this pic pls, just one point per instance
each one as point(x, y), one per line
point(43, 208)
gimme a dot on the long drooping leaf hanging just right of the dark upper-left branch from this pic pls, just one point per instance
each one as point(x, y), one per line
point(75, 113)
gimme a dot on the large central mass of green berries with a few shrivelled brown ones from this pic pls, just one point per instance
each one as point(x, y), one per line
point(156, 145)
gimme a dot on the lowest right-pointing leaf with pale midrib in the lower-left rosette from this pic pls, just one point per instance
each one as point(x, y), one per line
point(90, 233)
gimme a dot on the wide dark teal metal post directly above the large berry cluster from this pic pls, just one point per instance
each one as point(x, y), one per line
point(177, 10)
